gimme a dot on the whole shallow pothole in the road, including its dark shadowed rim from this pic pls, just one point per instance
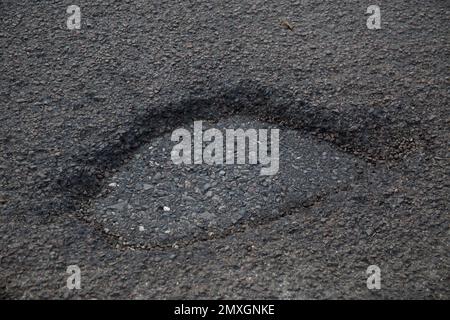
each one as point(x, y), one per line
point(129, 189)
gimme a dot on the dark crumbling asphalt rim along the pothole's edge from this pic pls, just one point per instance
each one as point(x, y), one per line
point(372, 136)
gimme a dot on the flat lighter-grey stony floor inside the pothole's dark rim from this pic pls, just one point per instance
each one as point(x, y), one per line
point(152, 201)
